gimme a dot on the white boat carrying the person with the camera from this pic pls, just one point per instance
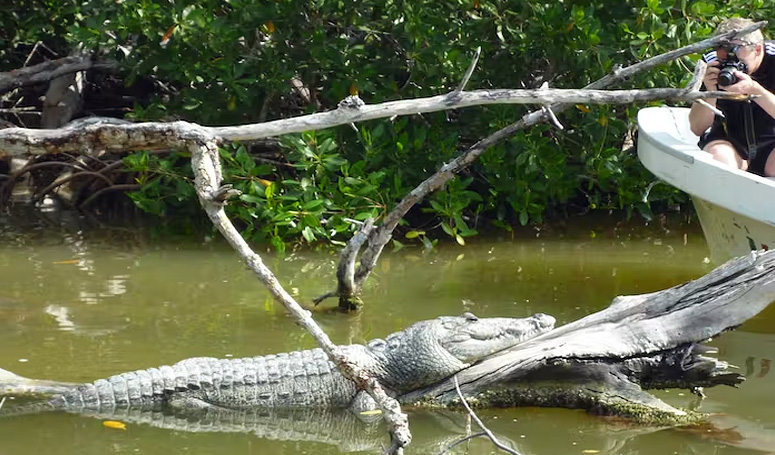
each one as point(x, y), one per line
point(736, 208)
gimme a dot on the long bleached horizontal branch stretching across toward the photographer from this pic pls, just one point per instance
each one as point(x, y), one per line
point(91, 138)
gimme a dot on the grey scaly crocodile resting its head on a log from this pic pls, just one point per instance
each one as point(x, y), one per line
point(420, 355)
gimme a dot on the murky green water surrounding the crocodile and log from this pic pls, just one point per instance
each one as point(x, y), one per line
point(80, 306)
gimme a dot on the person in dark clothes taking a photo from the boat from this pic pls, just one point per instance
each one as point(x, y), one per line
point(744, 136)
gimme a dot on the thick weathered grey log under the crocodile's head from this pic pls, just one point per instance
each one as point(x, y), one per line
point(605, 361)
